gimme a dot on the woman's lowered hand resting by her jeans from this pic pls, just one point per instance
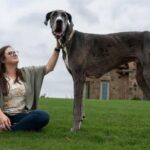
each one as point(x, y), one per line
point(5, 123)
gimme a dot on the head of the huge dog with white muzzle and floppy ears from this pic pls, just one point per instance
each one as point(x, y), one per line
point(59, 21)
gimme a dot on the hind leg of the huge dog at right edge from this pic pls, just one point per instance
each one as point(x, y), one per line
point(143, 80)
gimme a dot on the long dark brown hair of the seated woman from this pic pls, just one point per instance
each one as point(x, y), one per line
point(4, 86)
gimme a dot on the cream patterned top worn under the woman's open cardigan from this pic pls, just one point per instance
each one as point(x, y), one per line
point(14, 102)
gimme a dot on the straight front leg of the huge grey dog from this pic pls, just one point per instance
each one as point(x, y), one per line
point(78, 104)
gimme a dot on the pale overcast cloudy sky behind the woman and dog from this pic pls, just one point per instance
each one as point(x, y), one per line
point(22, 27)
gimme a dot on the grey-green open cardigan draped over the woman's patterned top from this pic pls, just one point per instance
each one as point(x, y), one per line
point(33, 77)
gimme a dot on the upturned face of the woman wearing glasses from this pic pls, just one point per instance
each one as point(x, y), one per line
point(11, 56)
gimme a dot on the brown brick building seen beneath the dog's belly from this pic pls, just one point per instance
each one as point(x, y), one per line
point(117, 84)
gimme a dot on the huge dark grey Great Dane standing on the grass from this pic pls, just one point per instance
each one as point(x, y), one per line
point(92, 55)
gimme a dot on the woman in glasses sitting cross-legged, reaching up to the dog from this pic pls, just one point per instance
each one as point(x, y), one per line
point(20, 90)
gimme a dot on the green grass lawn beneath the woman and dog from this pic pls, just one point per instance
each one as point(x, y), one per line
point(109, 125)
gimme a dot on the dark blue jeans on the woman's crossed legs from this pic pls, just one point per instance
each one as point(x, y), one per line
point(31, 121)
